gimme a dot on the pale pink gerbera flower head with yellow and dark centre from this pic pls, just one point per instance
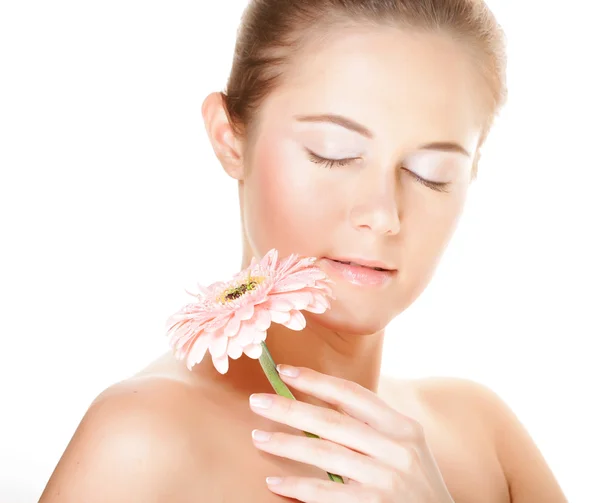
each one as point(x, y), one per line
point(231, 318)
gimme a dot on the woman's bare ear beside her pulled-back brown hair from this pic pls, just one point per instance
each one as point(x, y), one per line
point(227, 146)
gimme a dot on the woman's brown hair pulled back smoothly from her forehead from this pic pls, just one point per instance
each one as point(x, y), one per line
point(273, 30)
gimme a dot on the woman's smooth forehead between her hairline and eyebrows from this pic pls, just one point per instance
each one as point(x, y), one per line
point(397, 83)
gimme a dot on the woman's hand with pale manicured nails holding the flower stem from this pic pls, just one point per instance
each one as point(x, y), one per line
point(383, 453)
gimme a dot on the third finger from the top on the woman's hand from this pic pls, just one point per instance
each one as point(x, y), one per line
point(326, 455)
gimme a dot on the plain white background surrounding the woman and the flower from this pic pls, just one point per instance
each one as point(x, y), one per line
point(112, 203)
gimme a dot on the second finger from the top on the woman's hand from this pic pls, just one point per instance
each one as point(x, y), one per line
point(331, 425)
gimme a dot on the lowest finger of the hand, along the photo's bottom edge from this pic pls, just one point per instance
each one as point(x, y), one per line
point(311, 490)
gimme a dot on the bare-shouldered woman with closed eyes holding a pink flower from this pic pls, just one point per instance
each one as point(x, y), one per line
point(353, 128)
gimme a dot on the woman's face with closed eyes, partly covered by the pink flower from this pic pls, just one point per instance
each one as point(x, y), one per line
point(384, 180)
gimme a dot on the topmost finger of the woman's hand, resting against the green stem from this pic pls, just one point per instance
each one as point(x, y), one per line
point(355, 400)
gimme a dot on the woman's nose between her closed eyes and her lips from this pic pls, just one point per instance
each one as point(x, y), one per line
point(375, 207)
